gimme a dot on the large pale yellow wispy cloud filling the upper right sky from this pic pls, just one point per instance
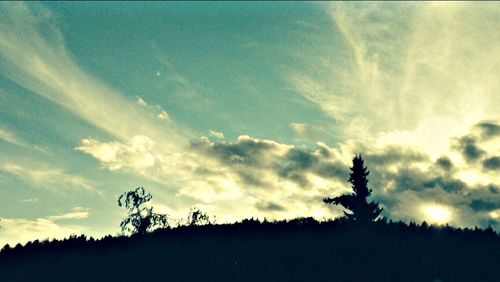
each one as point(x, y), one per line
point(406, 71)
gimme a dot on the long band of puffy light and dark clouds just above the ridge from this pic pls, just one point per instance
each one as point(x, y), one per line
point(266, 177)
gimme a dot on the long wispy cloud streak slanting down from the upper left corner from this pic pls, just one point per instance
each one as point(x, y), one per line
point(35, 57)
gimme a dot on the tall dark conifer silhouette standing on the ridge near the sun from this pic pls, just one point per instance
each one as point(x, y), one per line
point(356, 203)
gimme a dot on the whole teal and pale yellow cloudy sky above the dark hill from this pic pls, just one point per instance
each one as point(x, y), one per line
point(246, 109)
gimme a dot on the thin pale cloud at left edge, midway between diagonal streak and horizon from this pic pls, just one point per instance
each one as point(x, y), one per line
point(47, 177)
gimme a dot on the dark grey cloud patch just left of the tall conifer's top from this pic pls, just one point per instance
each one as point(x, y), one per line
point(251, 158)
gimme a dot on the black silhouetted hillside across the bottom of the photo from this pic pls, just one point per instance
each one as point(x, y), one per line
point(301, 250)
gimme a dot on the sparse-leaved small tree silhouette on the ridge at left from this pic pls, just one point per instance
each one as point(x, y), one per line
point(140, 219)
